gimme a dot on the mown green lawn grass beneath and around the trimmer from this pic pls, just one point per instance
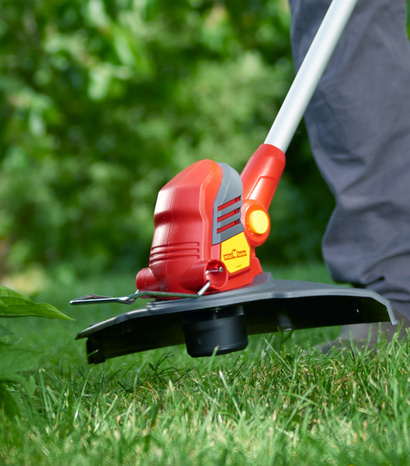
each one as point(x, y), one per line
point(272, 404)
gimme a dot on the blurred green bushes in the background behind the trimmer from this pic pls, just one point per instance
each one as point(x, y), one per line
point(102, 102)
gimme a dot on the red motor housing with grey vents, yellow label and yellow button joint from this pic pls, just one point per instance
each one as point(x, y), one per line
point(208, 221)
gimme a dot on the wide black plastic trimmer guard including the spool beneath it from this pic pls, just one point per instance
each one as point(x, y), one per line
point(220, 323)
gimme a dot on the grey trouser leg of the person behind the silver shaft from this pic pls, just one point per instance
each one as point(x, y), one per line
point(359, 128)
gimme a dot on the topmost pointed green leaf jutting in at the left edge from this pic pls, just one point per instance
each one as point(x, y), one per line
point(13, 304)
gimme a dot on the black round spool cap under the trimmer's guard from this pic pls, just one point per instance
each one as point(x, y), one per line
point(221, 328)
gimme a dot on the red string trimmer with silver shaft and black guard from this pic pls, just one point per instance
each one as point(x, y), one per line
point(208, 286)
